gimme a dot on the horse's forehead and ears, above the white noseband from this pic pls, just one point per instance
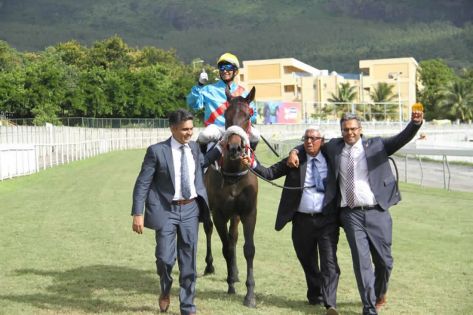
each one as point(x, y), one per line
point(239, 111)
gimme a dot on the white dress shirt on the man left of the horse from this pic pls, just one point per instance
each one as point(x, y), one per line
point(176, 159)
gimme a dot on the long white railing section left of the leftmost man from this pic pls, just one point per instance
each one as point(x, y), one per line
point(25, 150)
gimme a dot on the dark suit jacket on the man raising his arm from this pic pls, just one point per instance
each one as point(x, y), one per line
point(381, 179)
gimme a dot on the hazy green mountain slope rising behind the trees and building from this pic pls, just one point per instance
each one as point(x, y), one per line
point(327, 34)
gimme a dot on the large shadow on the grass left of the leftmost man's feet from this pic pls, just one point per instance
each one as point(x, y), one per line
point(80, 289)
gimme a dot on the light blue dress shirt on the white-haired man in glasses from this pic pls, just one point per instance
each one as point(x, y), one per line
point(312, 201)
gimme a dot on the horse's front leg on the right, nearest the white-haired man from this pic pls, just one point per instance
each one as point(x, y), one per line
point(249, 223)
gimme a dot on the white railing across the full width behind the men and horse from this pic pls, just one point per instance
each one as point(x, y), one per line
point(51, 146)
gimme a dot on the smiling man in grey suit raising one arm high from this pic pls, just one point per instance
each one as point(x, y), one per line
point(367, 188)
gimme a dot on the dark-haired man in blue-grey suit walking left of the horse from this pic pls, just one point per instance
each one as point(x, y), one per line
point(171, 188)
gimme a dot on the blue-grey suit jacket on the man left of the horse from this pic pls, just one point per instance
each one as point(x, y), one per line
point(154, 187)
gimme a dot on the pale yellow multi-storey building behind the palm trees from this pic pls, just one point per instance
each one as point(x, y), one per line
point(301, 88)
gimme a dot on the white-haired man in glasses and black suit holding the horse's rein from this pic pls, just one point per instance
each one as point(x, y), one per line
point(315, 226)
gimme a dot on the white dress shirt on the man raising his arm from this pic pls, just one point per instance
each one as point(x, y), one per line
point(363, 194)
